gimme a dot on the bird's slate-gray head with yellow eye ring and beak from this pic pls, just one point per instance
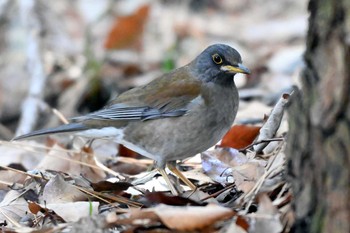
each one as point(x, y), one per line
point(218, 63)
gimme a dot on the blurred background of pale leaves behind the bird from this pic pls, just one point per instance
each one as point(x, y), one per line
point(75, 55)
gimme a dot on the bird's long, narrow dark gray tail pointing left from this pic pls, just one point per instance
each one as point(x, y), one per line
point(72, 127)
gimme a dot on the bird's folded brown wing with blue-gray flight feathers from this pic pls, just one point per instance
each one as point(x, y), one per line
point(167, 96)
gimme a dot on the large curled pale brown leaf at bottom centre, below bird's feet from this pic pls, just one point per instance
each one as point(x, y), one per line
point(192, 217)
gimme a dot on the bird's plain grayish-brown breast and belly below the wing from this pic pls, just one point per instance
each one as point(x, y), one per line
point(209, 117)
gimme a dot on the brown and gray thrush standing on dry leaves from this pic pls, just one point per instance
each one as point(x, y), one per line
point(177, 115)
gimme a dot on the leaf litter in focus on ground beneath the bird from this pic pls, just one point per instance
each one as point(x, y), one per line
point(68, 185)
